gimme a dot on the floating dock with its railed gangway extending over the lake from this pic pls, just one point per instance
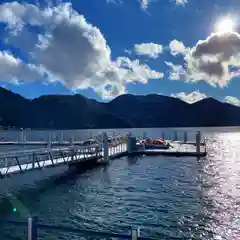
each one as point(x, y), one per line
point(13, 162)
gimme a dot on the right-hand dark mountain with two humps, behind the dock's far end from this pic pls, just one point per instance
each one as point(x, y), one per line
point(162, 111)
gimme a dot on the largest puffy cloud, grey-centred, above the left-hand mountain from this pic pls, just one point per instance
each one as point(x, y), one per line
point(65, 47)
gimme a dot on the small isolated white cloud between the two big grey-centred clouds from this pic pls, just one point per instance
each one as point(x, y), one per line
point(151, 50)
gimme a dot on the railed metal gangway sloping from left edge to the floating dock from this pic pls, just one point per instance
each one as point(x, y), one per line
point(22, 161)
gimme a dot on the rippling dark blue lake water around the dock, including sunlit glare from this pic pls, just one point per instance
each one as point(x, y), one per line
point(168, 197)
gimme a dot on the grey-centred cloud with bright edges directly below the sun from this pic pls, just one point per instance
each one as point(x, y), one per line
point(210, 60)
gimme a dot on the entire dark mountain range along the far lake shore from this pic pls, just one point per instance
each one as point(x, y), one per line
point(79, 112)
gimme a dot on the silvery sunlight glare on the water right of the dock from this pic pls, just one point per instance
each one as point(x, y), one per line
point(221, 185)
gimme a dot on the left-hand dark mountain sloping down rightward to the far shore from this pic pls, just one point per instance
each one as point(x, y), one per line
point(56, 112)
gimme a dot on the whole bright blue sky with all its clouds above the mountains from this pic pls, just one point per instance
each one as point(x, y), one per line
point(104, 48)
